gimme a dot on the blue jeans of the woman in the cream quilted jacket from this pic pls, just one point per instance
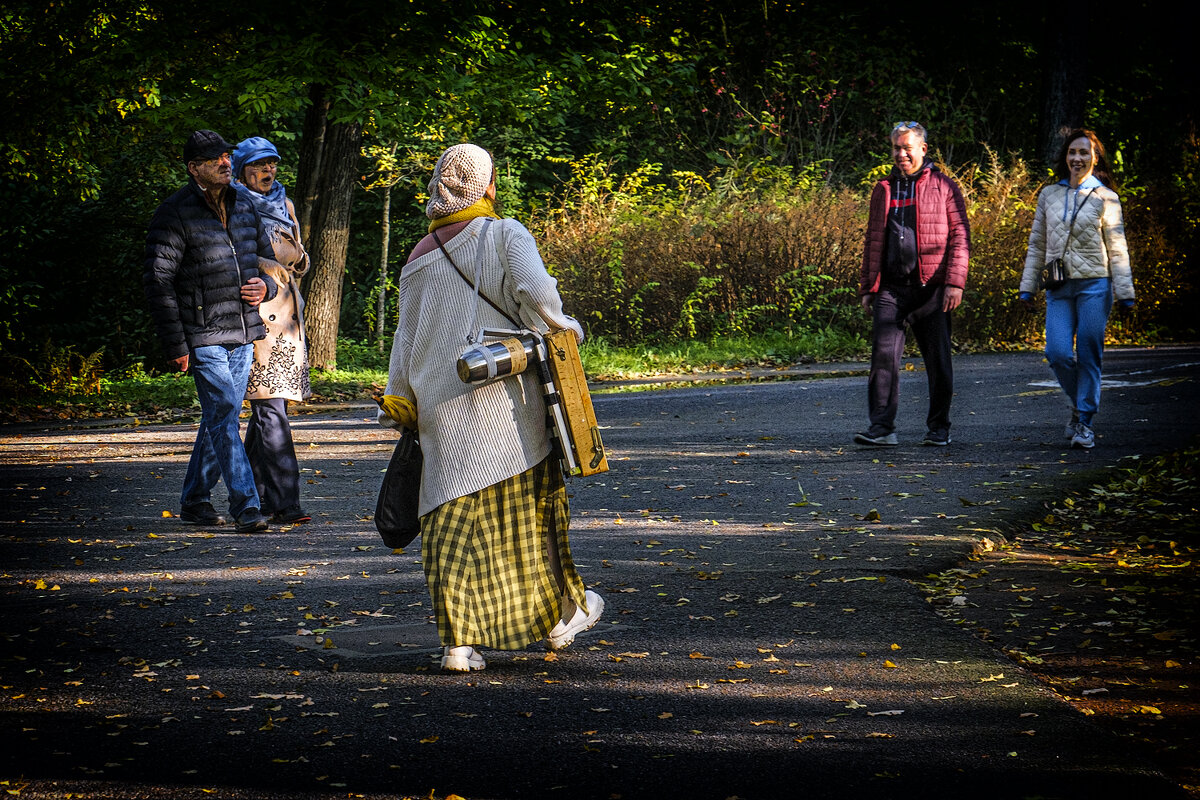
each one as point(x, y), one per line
point(1077, 316)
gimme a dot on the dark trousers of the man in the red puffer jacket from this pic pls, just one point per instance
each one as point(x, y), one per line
point(920, 309)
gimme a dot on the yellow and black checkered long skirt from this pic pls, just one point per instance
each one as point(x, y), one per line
point(488, 561)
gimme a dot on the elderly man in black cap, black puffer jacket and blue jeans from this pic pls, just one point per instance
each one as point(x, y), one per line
point(203, 286)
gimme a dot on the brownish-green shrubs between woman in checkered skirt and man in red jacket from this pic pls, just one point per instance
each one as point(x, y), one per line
point(669, 262)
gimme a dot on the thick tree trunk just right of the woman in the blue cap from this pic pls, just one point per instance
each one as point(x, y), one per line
point(331, 240)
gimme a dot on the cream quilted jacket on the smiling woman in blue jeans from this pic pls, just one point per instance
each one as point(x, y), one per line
point(1097, 248)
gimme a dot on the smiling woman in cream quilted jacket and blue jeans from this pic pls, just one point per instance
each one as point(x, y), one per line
point(1079, 222)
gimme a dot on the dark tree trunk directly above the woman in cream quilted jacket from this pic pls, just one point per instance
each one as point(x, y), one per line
point(1066, 79)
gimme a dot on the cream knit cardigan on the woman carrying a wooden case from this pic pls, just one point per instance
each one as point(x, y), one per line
point(472, 437)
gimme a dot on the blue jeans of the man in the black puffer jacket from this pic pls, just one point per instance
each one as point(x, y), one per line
point(221, 374)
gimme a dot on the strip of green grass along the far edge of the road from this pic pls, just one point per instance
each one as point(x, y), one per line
point(363, 372)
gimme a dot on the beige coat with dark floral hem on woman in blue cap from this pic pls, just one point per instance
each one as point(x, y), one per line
point(281, 360)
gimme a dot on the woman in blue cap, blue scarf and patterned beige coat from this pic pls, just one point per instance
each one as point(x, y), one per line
point(280, 371)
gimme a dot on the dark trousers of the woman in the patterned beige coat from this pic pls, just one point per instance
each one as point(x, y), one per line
point(273, 456)
